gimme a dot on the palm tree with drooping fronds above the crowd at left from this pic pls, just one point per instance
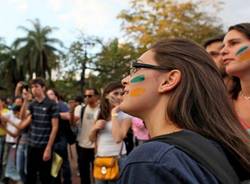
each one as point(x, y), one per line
point(36, 51)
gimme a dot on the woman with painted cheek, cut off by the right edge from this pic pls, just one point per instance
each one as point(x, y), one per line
point(236, 58)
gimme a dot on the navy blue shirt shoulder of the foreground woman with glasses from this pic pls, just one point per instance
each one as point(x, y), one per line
point(161, 163)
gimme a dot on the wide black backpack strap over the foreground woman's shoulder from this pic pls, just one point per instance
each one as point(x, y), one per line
point(204, 152)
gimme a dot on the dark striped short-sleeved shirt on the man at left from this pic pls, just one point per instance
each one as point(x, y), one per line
point(40, 128)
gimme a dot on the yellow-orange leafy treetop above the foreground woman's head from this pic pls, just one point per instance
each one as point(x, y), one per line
point(146, 21)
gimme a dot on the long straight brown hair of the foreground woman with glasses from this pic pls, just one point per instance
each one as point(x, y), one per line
point(200, 102)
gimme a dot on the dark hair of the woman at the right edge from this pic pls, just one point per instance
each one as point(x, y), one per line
point(243, 28)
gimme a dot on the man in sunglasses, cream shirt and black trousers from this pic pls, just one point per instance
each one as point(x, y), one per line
point(85, 148)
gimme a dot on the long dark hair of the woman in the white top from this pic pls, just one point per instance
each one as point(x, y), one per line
point(105, 106)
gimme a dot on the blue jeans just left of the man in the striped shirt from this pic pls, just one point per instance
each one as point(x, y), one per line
point(21, 161)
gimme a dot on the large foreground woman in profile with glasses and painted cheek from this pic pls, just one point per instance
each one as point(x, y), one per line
point(176, 89)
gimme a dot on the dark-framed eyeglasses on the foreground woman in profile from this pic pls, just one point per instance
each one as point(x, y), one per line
point(136, 65)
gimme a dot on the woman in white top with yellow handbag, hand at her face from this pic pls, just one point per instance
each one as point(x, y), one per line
point(111, 126)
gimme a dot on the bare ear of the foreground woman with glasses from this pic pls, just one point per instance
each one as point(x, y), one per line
point(169, 81)
